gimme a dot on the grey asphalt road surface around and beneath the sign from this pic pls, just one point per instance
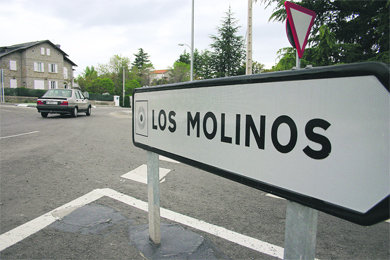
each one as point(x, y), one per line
point(48, 162)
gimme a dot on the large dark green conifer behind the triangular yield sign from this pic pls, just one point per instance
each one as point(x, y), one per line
point(354, 31)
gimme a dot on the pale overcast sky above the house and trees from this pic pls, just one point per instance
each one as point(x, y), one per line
point(92, 31)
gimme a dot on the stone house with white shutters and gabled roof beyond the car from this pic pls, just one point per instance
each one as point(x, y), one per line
point(36, 65)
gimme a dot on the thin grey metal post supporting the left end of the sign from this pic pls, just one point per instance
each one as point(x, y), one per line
point(154, 198)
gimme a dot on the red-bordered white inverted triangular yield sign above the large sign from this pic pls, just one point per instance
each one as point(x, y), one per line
point(301, 20)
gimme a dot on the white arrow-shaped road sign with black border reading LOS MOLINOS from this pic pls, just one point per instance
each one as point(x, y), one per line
point(319, 137)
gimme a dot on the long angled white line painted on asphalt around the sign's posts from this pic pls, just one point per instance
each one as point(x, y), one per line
point(17, 234)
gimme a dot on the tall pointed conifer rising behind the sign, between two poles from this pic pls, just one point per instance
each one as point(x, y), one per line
point(227, 48)
